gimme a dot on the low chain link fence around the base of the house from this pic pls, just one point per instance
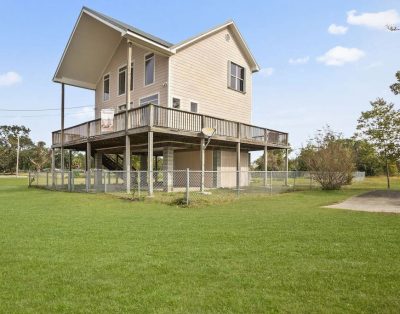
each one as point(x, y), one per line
point(183, 185)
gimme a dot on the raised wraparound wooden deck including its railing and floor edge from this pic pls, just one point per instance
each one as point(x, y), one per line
point(169, 125)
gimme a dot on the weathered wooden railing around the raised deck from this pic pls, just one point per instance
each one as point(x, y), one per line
point(174, 119)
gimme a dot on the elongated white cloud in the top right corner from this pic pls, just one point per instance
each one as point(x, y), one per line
point(374, 20)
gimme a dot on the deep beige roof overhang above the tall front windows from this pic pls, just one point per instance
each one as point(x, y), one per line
point(91, 46)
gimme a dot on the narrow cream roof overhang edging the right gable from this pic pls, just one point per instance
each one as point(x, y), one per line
point(235, 31)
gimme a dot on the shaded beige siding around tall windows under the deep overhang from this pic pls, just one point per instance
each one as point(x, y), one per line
point(139, 90)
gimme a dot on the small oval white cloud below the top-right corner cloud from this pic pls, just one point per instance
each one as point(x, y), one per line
point(339, 55)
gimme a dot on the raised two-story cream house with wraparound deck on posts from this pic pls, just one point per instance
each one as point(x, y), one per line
point(163, 95)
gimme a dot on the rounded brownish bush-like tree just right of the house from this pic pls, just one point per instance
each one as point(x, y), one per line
point(329, 159)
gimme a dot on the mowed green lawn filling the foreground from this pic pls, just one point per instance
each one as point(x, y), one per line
point(79, 253)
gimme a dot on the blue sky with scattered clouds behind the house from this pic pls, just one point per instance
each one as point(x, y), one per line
point(301, 88)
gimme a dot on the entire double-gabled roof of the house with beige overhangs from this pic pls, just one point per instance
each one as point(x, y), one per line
point(96, 36)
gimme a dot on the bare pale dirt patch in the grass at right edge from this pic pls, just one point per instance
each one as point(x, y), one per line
point(374, 201)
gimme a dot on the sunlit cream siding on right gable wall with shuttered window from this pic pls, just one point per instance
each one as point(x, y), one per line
point(199, 74)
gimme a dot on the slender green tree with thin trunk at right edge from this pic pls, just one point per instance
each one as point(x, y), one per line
point(380, 126)
